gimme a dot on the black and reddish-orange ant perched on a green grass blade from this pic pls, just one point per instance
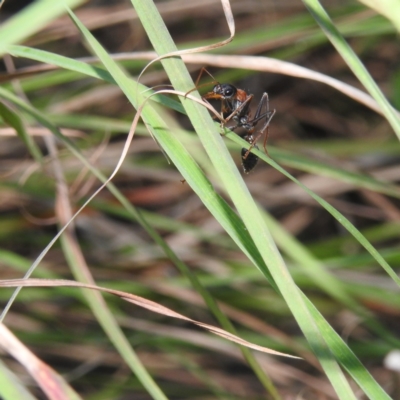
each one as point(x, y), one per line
point(235, 105)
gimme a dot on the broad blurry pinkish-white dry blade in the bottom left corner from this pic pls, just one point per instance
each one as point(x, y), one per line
point(52, 384)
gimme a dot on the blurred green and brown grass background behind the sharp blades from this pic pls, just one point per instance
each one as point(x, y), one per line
point(340, 149)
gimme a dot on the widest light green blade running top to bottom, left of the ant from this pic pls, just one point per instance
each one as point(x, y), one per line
point(239, 194)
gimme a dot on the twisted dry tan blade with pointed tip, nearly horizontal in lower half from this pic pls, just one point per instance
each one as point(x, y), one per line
point(141, 302)
